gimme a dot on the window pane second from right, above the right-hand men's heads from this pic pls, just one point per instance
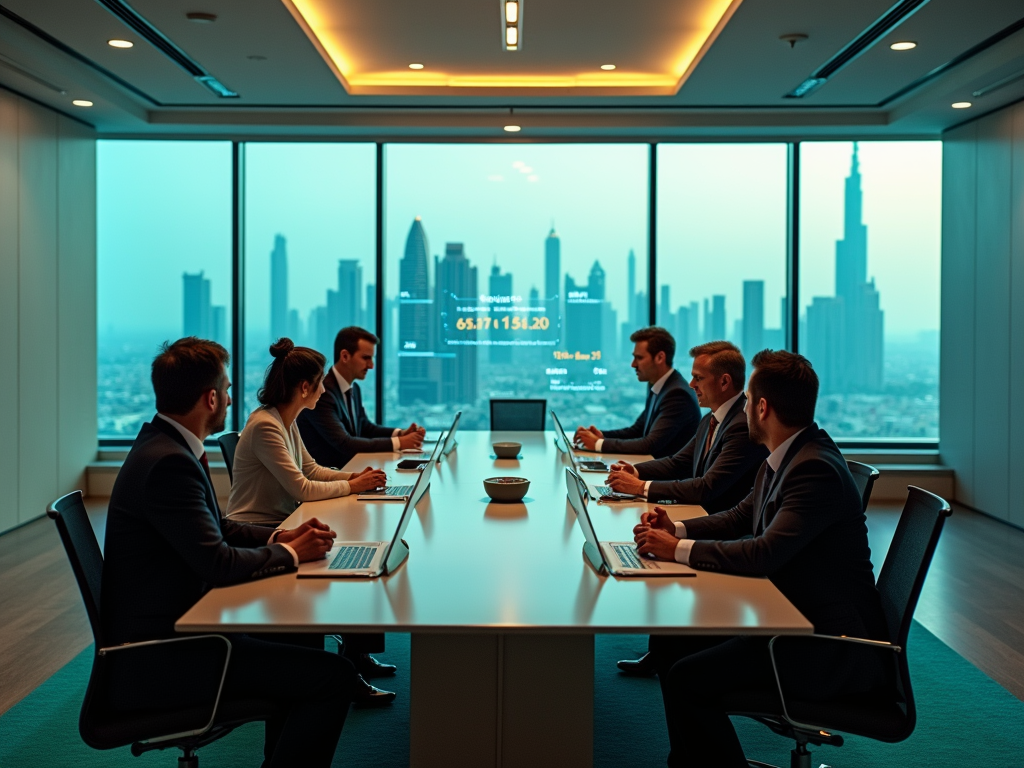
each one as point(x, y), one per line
point(722, 245)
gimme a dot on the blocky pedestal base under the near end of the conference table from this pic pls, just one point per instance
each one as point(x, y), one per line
point(502, 701)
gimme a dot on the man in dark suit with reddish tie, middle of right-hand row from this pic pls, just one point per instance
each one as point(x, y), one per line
point(717, 468)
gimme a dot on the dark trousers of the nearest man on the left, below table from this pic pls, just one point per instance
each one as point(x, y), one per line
point(314, 688)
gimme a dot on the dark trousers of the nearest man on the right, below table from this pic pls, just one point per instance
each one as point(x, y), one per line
point(698, 676)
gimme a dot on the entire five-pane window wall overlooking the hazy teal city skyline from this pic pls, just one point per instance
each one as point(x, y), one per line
point(520, 271)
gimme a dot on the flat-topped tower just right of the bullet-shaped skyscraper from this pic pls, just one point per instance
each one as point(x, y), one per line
point(456, 279)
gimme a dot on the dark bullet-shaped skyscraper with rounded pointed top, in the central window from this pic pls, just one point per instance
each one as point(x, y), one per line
point(416, 320)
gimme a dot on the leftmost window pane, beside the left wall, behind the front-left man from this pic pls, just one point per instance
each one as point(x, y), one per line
point(164, 264)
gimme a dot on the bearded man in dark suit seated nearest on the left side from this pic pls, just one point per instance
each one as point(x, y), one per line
point(166, 545)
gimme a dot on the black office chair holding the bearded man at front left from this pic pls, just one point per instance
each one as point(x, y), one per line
point(153, 667)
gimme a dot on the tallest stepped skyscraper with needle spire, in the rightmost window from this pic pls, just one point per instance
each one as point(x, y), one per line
point(845, 332)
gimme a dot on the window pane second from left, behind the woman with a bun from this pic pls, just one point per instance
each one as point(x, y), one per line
point(310, 250)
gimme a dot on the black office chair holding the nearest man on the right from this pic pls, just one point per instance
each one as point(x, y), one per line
point(888, 715)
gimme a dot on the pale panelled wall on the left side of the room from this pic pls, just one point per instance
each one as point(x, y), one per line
point(48, 307)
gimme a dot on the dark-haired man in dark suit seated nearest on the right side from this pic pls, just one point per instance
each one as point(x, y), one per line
point(802, 528)
